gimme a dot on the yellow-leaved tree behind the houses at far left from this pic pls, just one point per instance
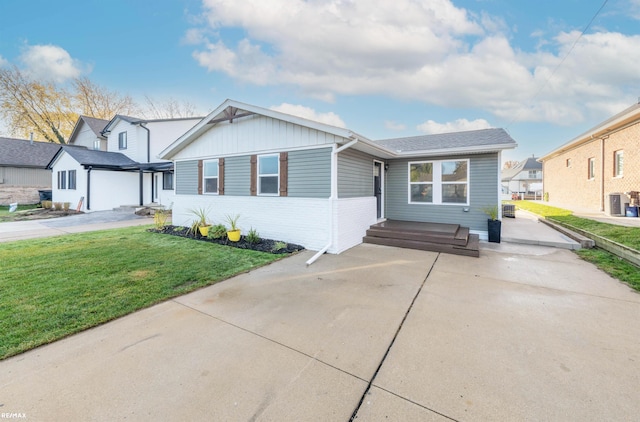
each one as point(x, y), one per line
point(31, 106)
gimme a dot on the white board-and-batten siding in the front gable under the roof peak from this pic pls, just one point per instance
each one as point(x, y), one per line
point(255, 134)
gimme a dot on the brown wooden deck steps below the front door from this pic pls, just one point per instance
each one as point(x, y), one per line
point(435, 237)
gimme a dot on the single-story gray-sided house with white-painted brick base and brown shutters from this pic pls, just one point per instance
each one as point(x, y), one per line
point(323, 186)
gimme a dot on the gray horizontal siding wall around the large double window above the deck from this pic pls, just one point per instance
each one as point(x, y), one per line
point(482, 190)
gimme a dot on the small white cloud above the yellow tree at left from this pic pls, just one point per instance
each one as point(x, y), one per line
point(51, 62)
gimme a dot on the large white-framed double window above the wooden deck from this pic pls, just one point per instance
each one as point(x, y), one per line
point(439, 182)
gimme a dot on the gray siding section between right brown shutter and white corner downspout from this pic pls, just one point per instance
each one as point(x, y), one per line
point(310, 173)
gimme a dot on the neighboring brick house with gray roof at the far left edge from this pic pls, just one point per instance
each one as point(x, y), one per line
point(23, 169)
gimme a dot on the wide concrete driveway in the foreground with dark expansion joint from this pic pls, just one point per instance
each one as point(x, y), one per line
point(378, 333)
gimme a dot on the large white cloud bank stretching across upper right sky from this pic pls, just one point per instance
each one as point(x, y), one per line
point(432, 52)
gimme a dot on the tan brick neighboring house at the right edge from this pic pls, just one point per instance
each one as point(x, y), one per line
point(606, 159)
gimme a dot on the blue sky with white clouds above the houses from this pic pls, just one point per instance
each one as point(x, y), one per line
point(383, 69)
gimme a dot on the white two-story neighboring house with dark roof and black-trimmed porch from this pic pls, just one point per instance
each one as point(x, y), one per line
point(128, 173)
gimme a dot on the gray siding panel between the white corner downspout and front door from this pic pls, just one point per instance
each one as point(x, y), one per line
point(355, 174)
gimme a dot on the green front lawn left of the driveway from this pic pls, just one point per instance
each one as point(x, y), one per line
point(51, 288)
